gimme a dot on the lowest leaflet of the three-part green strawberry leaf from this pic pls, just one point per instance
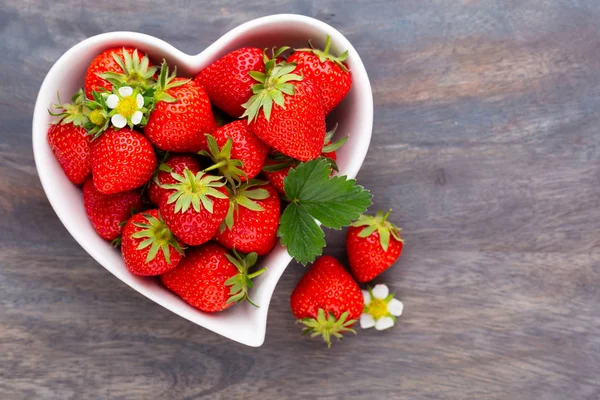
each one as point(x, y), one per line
point(301, 234)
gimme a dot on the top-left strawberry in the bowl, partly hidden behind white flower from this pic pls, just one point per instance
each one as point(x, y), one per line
point(120, 66)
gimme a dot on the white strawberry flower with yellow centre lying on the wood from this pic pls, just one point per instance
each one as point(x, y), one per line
point(381, 308)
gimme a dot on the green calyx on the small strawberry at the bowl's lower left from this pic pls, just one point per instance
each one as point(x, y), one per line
point(156, 234)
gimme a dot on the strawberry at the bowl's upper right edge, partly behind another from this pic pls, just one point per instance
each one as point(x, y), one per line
point(327, 71)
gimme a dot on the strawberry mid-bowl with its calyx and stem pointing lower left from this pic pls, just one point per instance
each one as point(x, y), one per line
point(236, 152)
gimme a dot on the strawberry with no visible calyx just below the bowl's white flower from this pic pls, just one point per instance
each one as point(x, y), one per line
point(121, 160)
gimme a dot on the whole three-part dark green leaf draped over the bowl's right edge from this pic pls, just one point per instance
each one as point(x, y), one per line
point(315, 195)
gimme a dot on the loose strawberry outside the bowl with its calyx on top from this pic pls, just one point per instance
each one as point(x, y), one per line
point(373, 245)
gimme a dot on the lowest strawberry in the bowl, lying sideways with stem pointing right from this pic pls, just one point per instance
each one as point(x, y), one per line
point(210, 279)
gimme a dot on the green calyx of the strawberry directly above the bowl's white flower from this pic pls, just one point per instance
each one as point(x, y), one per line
point(136, 72)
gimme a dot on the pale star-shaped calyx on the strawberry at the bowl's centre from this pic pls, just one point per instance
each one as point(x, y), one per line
point(193, 190)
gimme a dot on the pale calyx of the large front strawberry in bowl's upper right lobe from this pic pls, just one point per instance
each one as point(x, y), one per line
point(271, 87)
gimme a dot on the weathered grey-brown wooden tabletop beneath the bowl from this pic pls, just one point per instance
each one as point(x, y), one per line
point(486, 144)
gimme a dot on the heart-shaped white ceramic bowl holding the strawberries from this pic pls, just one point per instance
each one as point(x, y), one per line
point(243, 322)
